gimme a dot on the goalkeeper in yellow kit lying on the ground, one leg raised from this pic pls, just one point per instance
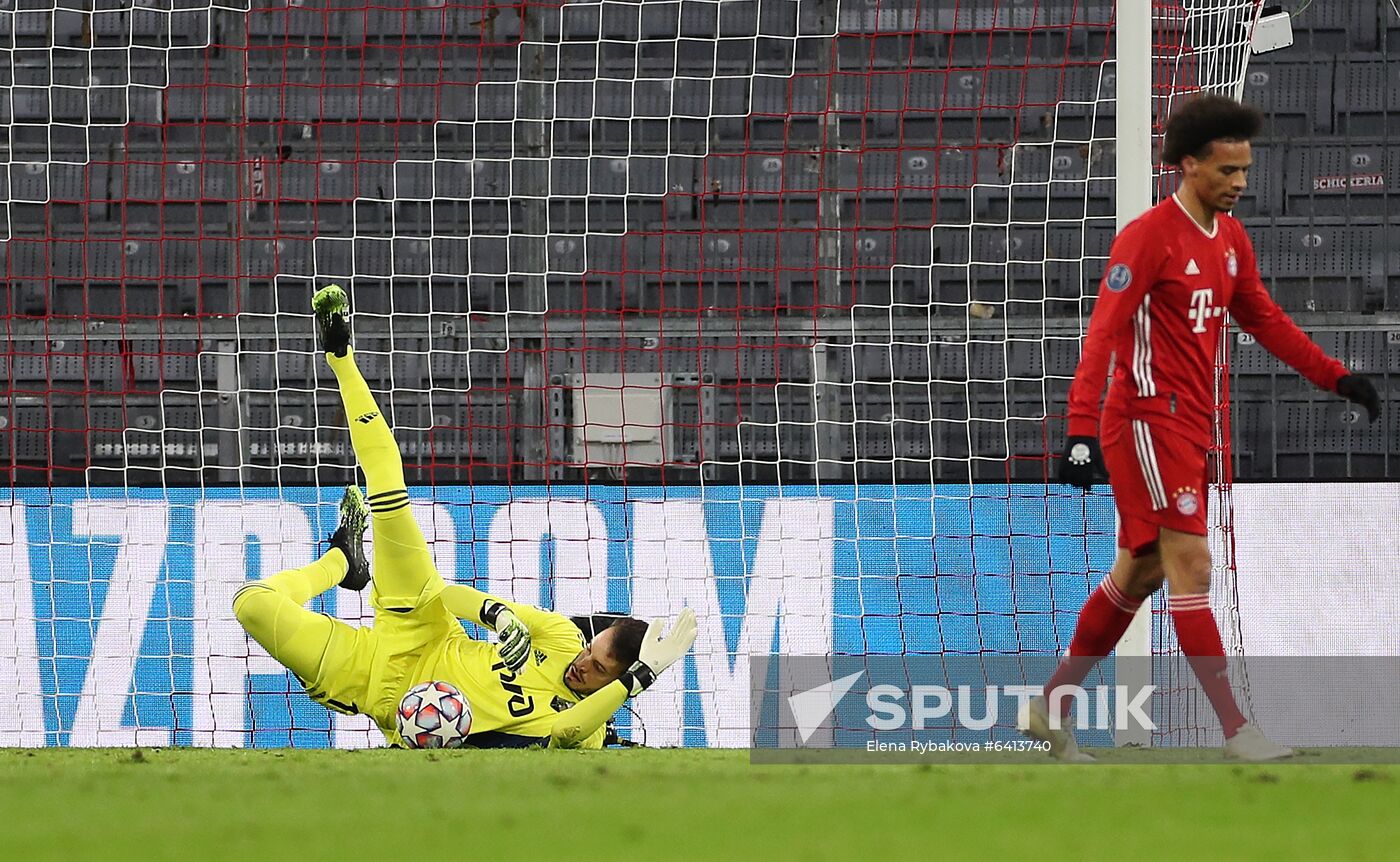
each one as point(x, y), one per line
point(541, 685)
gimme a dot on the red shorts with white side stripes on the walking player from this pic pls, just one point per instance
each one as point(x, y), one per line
point(1158, 481)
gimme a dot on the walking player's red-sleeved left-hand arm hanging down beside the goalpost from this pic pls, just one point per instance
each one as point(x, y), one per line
point(1133, 267)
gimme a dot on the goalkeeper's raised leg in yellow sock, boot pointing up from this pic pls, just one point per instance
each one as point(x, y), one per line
point(404, 573)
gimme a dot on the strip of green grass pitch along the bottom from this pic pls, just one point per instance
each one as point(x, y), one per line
point(304, 807)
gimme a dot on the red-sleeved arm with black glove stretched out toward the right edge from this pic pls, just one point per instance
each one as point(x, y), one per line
point(1261, 317)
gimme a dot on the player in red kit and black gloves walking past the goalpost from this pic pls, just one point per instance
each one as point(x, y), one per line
point(1172, 276)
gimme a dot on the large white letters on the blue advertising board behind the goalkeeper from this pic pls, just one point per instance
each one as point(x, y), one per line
point(566, 548)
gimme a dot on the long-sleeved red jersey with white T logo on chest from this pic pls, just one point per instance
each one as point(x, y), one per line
point(1158, 317)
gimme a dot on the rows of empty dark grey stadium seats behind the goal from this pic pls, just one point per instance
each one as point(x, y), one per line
point(405, 176)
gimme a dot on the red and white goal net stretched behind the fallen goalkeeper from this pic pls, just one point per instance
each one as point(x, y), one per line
point(761, 307)
